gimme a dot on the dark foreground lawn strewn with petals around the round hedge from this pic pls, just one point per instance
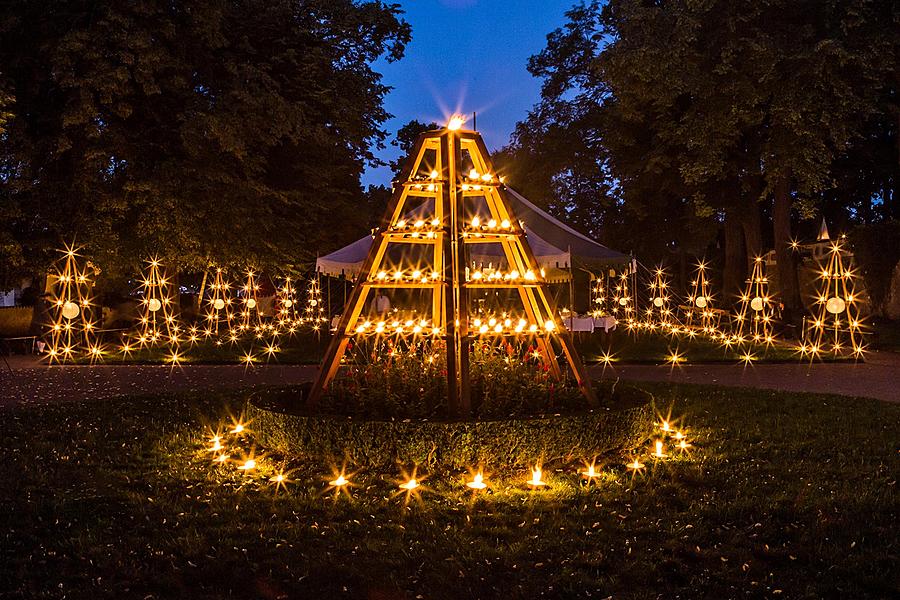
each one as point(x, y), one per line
point(786, 496)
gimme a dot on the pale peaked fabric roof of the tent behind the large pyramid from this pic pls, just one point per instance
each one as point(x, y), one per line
point(555, 245)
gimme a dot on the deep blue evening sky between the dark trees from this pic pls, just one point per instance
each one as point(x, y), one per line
point(465, 56)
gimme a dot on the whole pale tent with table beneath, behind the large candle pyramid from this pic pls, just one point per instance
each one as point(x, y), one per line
point(571, 263)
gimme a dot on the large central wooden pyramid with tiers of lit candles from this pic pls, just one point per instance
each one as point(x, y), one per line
point(446, 216)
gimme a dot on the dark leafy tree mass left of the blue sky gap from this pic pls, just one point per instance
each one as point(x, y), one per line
point(214, 130)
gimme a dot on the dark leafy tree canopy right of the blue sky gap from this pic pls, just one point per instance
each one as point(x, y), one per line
point(681, 118)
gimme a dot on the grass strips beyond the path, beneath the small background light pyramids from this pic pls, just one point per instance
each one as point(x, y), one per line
point(308, 348)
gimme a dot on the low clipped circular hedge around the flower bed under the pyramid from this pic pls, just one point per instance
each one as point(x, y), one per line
point(624, 422)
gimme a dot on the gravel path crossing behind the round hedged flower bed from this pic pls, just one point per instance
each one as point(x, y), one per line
point(29, 382)
